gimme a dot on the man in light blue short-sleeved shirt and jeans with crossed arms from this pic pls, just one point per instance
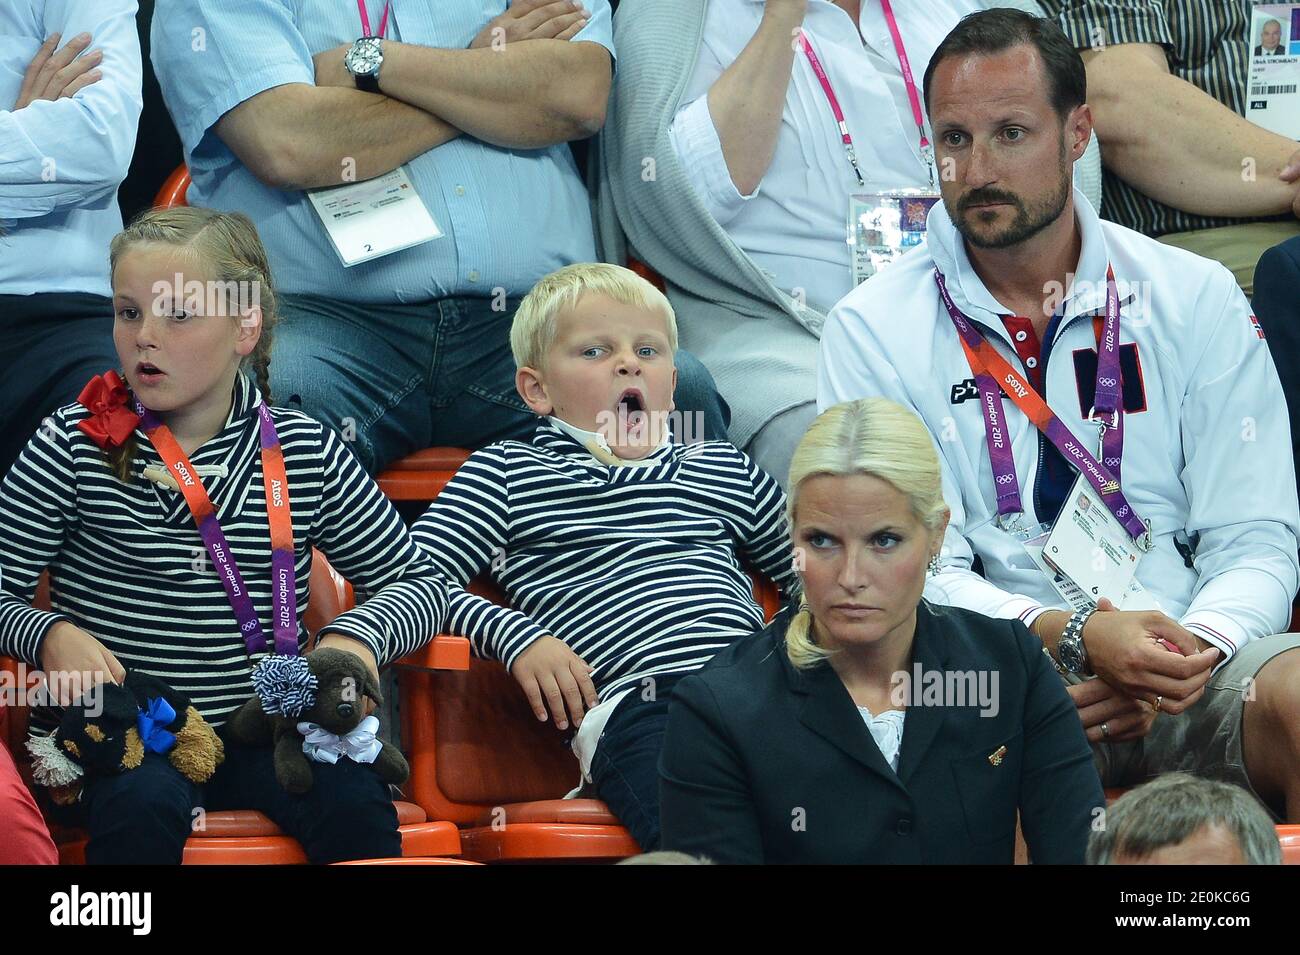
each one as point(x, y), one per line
point(274, 98)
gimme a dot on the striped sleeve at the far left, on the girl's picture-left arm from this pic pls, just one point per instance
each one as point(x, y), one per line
point(38, 505)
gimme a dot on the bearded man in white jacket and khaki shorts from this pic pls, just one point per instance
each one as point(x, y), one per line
point(1199, 441)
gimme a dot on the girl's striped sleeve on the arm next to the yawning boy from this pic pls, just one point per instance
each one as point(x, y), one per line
point(402, 601)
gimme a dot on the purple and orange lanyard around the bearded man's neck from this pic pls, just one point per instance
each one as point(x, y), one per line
point(986, 362)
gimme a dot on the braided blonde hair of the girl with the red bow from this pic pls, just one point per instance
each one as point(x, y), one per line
point(227, 245)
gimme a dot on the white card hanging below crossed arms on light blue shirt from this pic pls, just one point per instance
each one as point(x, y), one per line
point(372, 219)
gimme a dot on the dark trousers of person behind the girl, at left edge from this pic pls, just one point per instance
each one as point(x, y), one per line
point(51, 345)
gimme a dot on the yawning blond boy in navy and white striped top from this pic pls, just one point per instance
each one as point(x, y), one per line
point(622, 552)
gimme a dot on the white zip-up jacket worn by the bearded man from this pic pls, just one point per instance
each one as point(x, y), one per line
point(1208, 459)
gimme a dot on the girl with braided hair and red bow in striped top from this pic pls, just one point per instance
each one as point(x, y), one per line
point(97, 498)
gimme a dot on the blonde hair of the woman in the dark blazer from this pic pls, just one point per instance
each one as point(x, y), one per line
point(876, 437)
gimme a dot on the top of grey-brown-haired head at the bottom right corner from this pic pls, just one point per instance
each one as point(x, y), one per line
point(1184, 821)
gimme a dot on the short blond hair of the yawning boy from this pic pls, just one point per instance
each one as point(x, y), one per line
point(534, 331)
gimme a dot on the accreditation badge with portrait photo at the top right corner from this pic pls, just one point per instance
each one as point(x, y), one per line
point(1273, 99)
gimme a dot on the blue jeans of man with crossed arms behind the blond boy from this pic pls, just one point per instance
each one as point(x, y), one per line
point(396, 379)
